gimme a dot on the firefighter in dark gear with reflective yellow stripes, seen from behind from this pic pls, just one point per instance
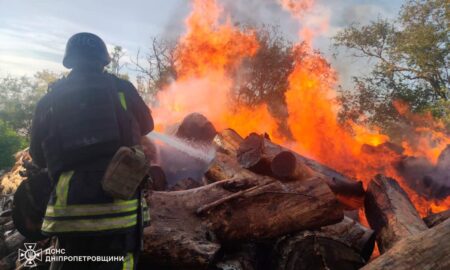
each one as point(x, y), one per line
point(77, 128)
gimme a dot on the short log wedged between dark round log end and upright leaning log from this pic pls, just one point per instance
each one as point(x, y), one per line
point(354, 234)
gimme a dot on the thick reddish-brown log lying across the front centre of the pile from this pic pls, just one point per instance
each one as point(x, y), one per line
point(271, 209)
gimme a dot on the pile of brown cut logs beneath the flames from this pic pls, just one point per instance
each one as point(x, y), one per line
point(263, 206)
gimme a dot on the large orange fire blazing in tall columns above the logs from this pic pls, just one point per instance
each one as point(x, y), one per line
point(212, 47)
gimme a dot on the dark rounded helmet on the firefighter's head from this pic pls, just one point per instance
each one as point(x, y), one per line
point(85, 47)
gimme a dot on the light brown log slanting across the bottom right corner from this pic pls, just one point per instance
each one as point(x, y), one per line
point(429, 249)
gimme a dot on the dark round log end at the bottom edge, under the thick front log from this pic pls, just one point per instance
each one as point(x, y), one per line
point(314, 250)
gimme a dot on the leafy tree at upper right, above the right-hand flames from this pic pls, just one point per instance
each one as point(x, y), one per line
point(411, 57)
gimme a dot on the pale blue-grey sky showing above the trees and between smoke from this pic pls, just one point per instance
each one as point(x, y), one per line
point(33, 33)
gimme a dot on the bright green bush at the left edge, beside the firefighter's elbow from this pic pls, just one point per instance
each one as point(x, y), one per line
point(10, 143)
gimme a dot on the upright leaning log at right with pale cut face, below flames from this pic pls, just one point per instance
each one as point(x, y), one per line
point(390, 212)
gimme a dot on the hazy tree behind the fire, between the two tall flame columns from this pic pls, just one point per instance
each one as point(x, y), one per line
point(263, 78)
